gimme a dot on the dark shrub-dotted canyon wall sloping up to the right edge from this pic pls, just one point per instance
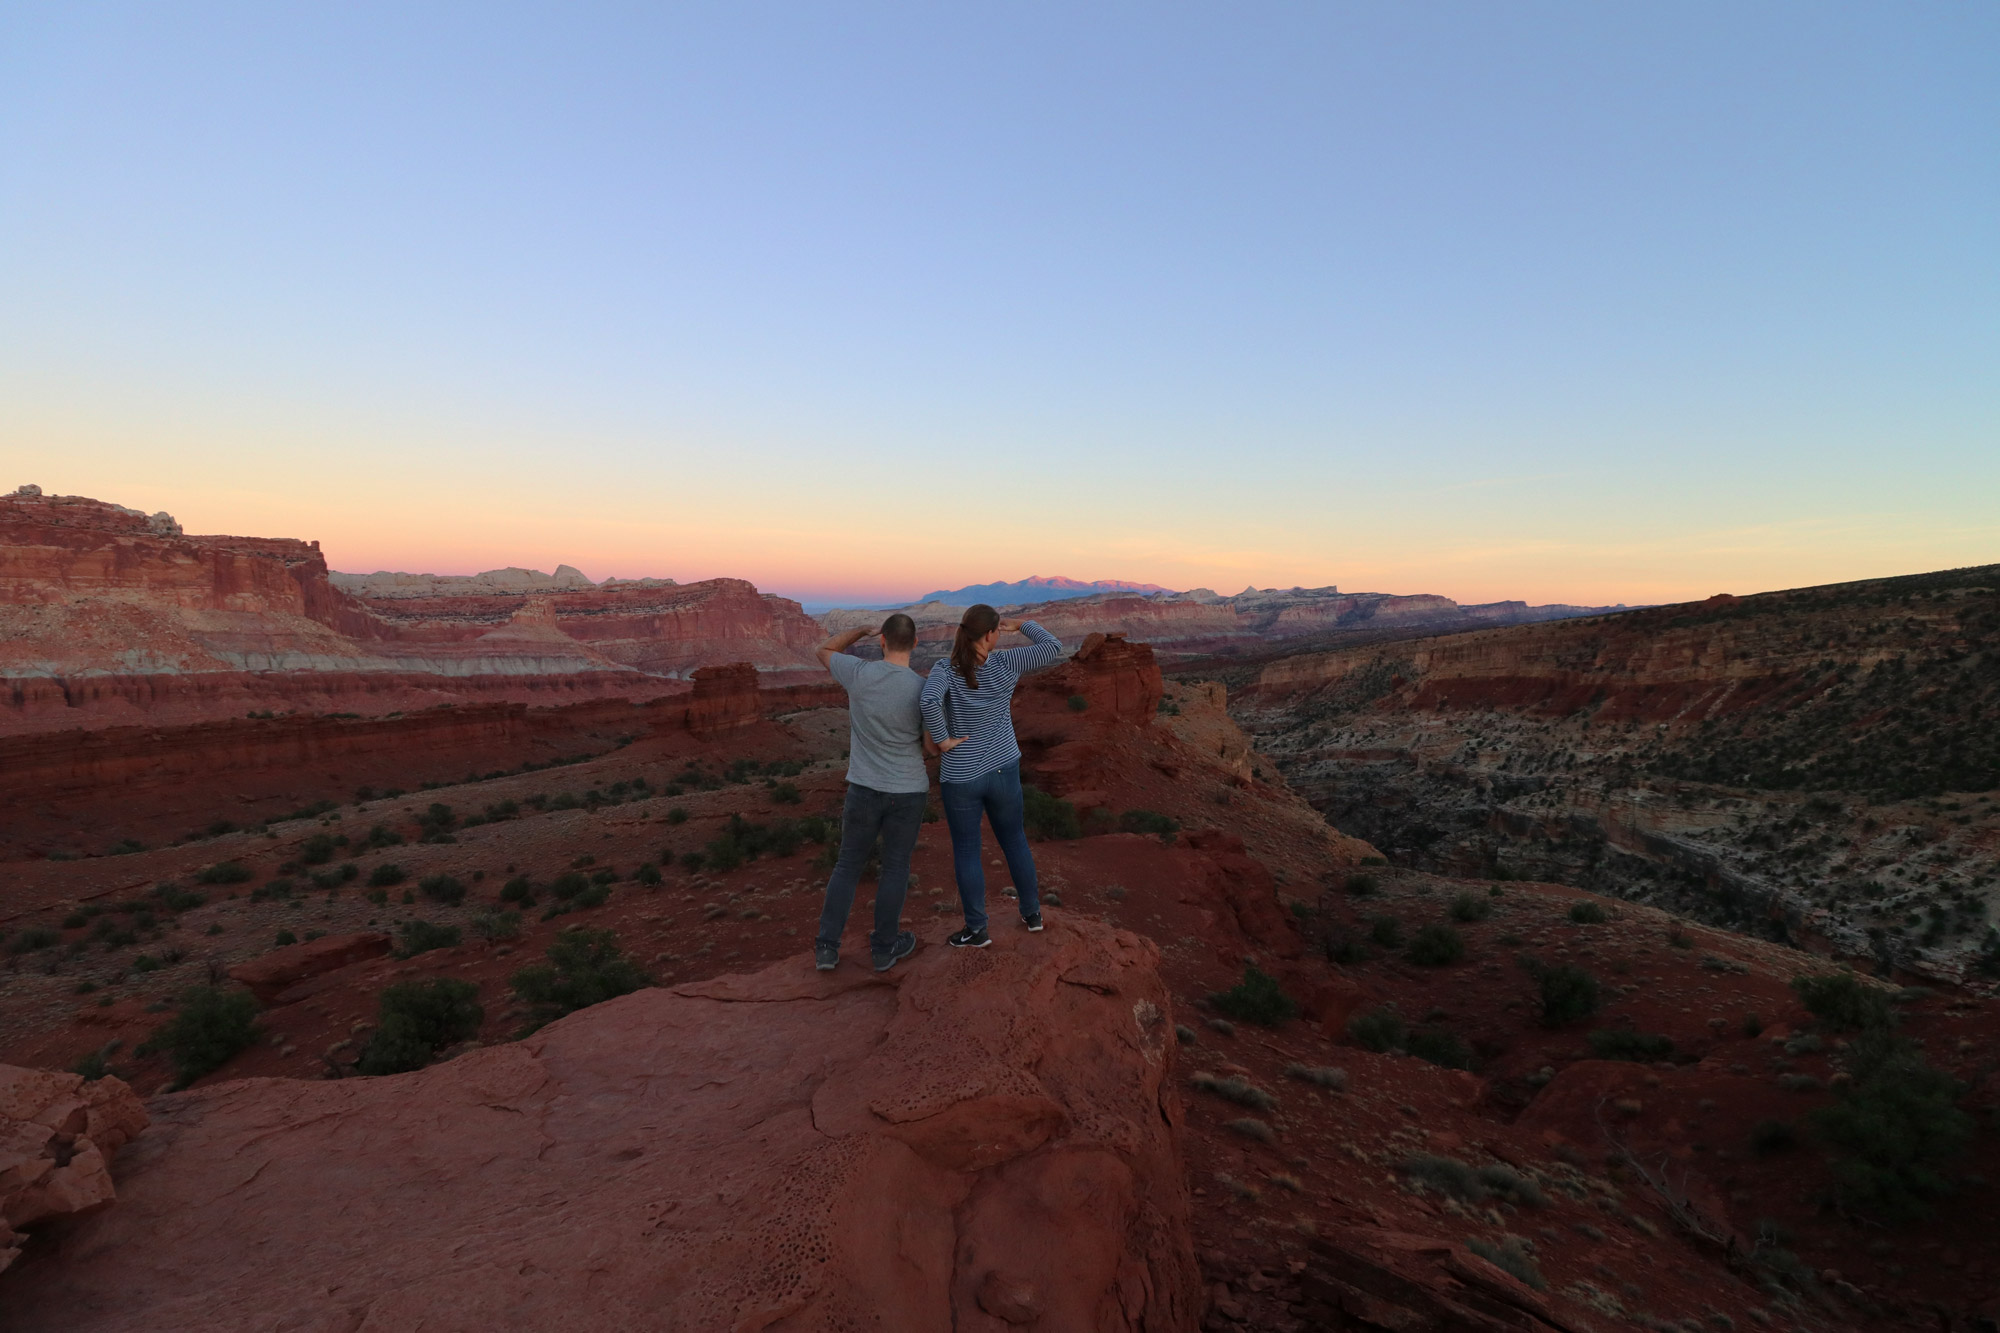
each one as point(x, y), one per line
point(1815, 766)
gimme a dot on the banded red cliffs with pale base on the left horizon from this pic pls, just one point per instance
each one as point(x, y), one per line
point(113, 617)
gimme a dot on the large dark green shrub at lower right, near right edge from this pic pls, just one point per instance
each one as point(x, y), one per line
point(1895, 1130)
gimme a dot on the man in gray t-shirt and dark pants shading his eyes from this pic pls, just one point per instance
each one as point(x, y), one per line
point(887, 790)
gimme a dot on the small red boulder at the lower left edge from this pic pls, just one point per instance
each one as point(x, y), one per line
point(59, 1136)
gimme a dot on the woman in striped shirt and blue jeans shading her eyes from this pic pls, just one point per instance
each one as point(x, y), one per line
point(967, 714)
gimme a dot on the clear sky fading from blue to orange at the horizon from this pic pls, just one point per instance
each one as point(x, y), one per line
point(1561, 301)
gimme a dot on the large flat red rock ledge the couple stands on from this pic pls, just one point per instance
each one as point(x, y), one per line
point(975, 1142)
